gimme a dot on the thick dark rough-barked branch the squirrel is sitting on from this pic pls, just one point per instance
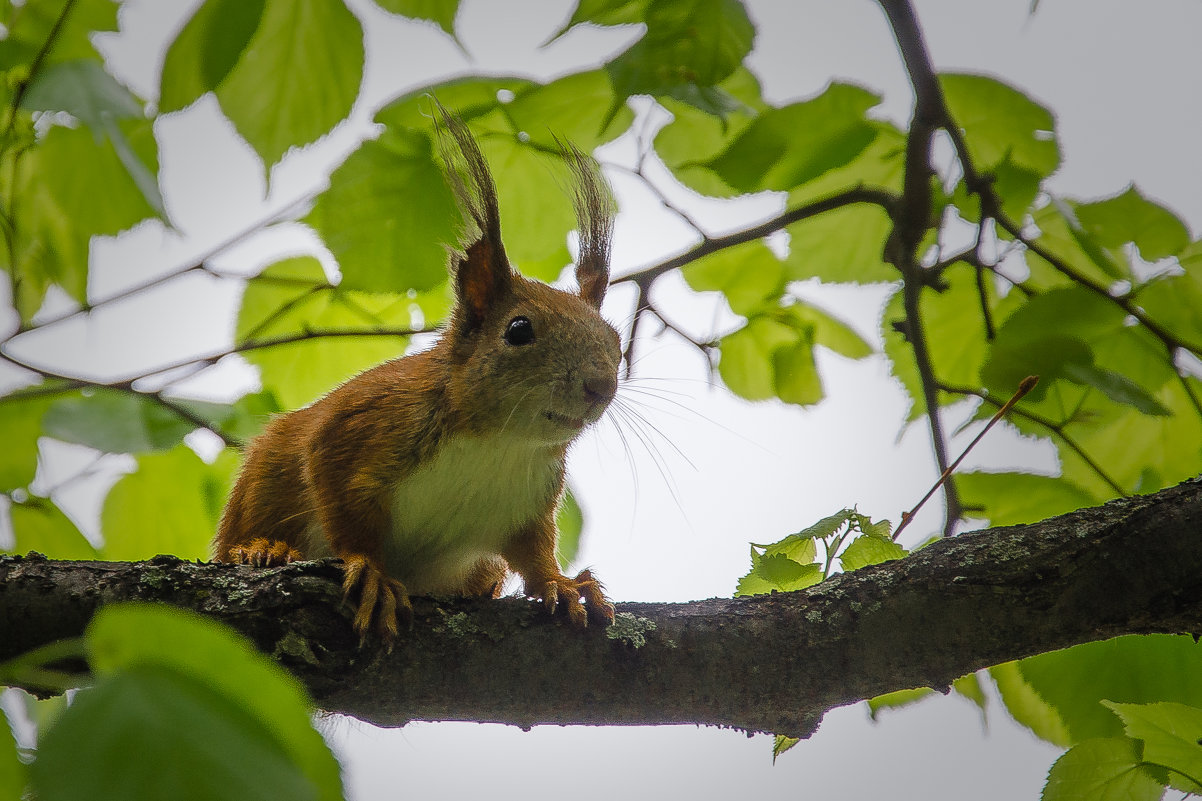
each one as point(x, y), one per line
point(773, 663)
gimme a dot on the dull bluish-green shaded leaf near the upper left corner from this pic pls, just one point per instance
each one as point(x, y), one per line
point(84, 90)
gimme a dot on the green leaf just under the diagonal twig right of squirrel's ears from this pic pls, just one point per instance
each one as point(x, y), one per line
point(749, 276)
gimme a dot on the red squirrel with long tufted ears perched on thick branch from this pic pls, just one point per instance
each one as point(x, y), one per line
point(441, 472)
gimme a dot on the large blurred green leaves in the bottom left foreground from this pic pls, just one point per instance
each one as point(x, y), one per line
point(158, 721)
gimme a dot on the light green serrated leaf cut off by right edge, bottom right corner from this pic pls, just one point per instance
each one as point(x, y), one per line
point(1171, 734)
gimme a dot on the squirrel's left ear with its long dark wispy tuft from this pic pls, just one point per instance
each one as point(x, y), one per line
point(483, 274)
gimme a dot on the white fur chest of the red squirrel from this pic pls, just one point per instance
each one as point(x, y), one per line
point(466, 503)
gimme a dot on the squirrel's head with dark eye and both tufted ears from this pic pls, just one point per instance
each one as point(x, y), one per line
point(528, 359)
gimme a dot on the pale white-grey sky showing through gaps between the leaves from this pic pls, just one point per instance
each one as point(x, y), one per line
point(1126, 82)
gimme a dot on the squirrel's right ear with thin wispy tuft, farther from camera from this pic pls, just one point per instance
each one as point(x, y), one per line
point(594, 215)
